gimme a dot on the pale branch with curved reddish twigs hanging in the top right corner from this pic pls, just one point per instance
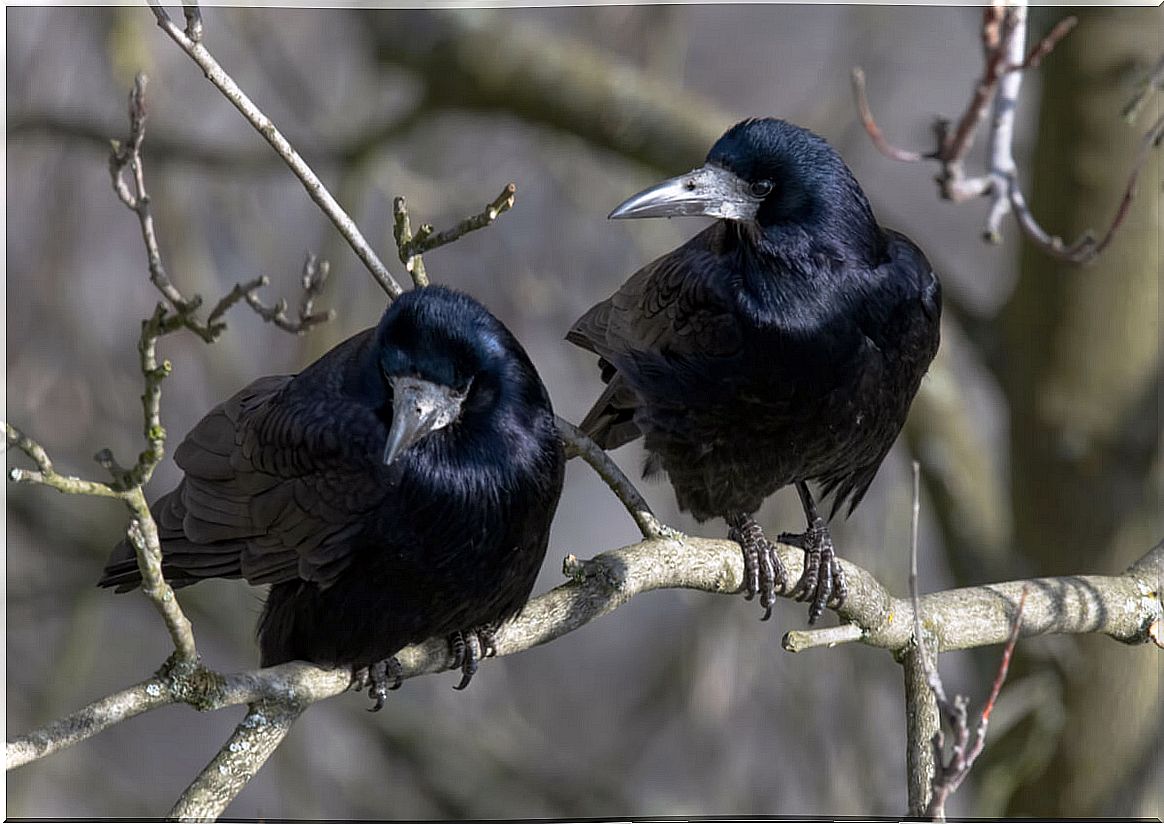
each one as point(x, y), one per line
point(1004, 37)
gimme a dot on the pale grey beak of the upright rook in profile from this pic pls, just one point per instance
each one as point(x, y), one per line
point(708, 191)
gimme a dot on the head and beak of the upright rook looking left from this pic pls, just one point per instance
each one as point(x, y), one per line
point(764, 172)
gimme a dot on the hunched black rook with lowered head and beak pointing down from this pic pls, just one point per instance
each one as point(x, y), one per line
point(400, 488)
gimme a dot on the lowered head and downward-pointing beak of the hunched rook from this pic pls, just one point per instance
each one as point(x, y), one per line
point(444, 359)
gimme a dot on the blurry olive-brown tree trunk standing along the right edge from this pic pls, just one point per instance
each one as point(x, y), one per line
point(1083, 377)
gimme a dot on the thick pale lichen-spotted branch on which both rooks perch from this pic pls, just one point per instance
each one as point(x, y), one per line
point(1124, 607)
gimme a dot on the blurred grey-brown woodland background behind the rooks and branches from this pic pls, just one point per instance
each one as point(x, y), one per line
point(1038, 430)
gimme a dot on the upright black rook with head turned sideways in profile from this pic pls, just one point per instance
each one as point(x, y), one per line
point(783, 345)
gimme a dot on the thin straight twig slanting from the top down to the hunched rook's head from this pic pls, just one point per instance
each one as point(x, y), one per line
point(267, 129)
